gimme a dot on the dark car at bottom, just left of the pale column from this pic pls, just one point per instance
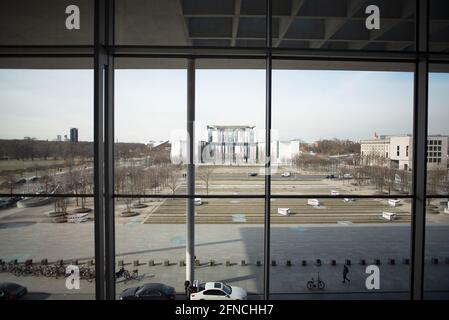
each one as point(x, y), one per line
point(149, 291)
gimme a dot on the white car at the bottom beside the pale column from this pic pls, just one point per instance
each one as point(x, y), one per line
point(218, 291)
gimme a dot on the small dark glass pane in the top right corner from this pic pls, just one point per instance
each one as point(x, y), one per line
point(439, 26)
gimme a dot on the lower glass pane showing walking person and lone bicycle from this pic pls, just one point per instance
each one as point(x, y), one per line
point(312, 240)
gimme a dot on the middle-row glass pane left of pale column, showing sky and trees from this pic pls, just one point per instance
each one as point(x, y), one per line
point(150, 127)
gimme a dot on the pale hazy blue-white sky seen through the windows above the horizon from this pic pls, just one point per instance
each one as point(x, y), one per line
point(151, 104)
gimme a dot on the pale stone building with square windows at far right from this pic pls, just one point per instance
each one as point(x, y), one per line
point(398, 151)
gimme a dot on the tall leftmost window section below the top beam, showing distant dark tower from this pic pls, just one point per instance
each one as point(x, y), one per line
point(46, 150)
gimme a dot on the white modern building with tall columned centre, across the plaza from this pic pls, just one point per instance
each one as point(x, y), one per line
point(234, 145)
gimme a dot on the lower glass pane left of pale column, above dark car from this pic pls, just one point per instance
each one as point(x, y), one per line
point(150, 238)
